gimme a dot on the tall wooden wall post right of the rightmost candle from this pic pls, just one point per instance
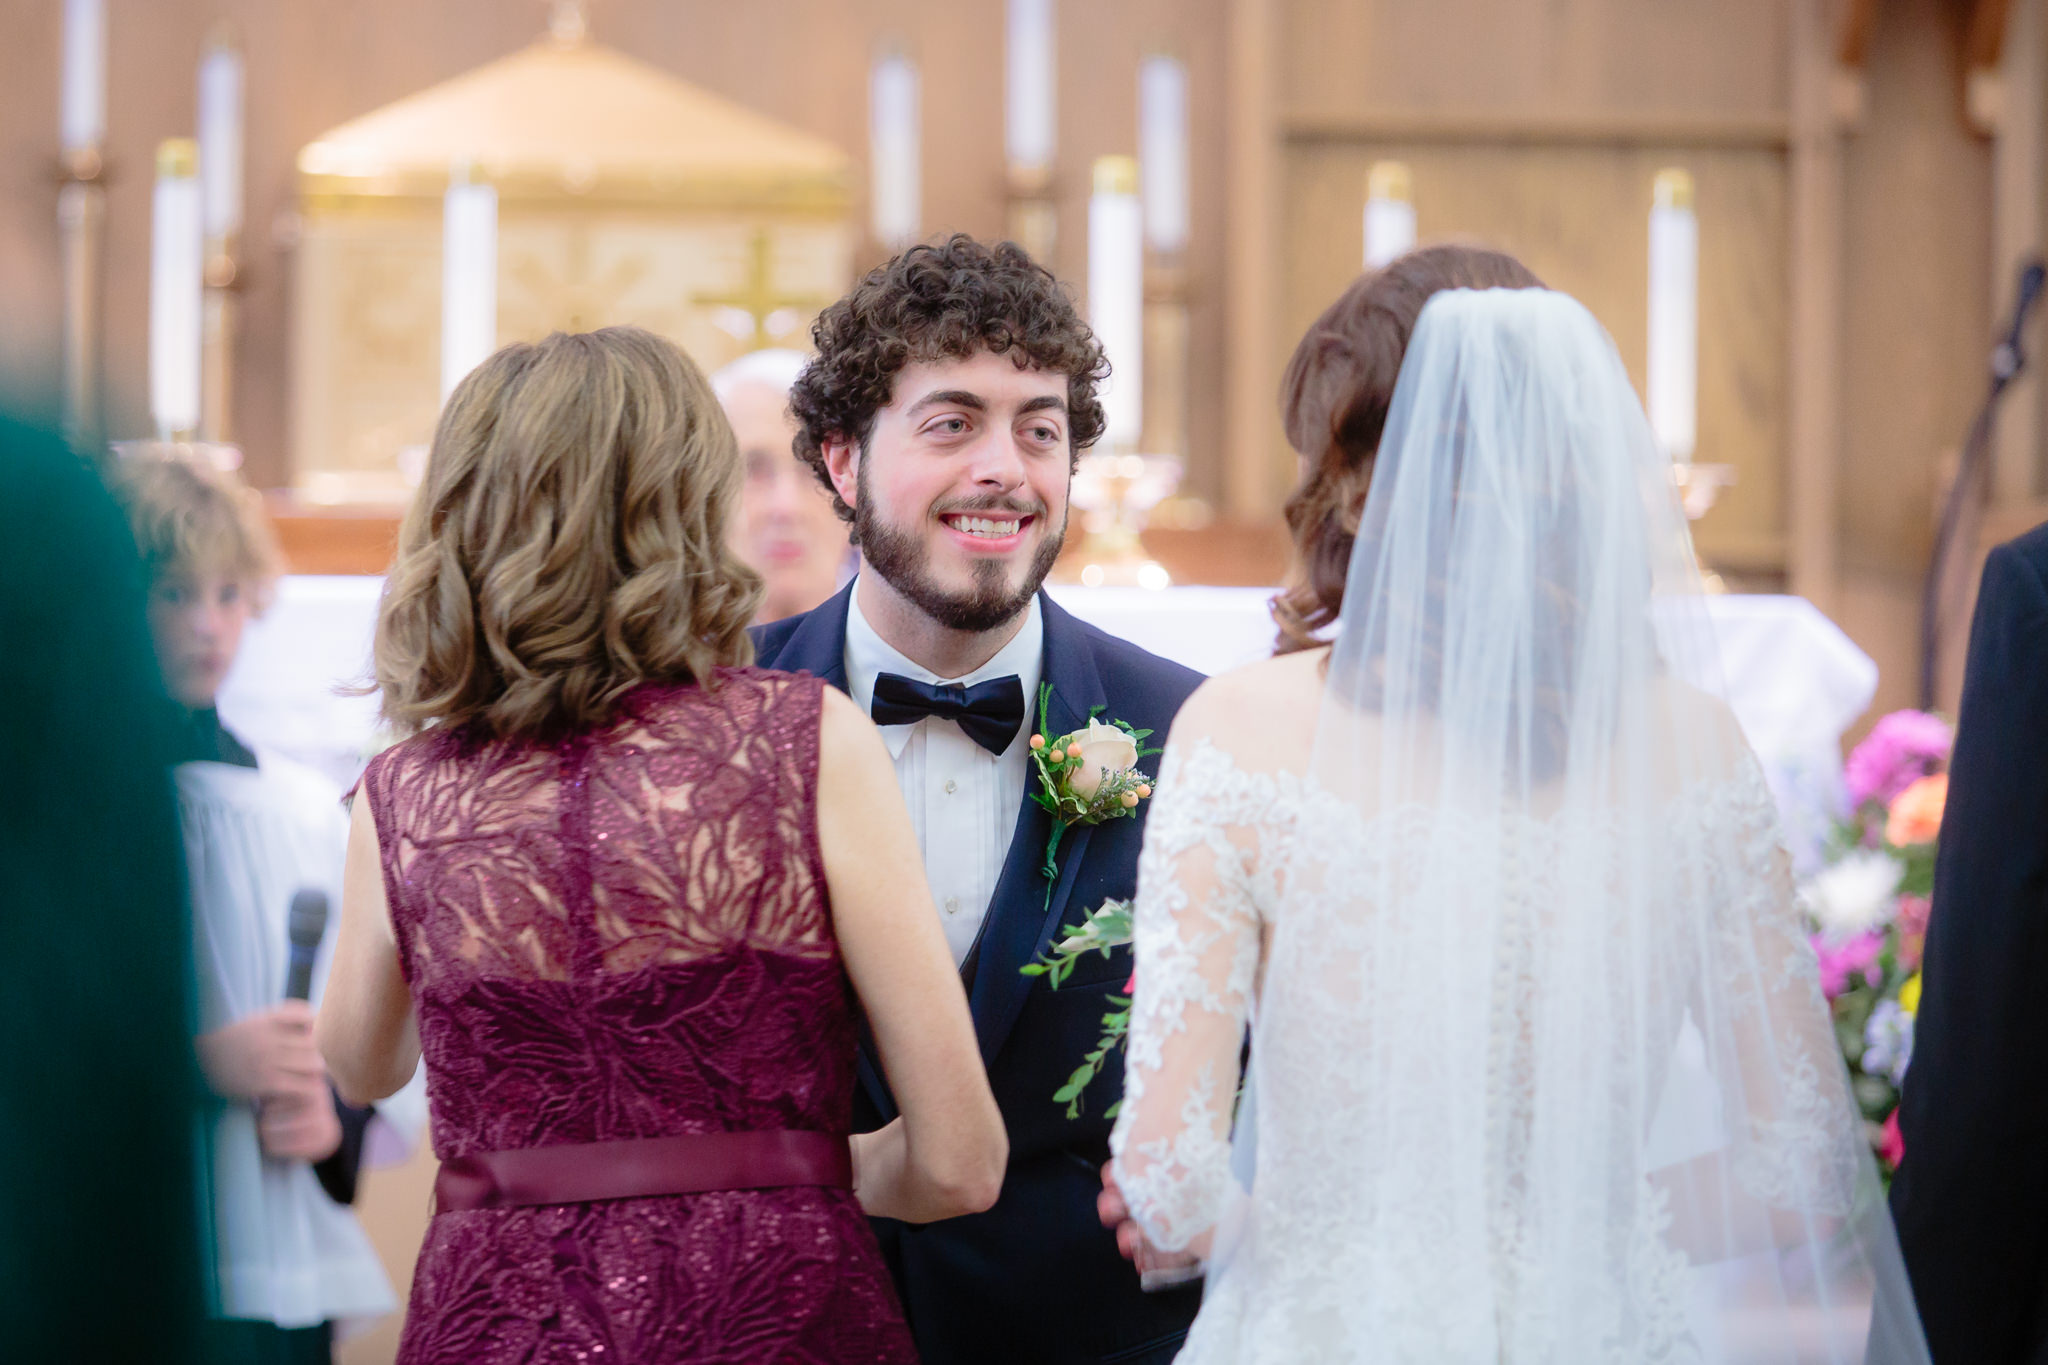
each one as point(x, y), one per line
point(1824, 93)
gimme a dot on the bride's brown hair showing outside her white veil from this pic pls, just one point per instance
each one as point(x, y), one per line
point(1334, 406)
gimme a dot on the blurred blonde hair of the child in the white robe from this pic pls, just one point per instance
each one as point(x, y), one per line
point(189, 517)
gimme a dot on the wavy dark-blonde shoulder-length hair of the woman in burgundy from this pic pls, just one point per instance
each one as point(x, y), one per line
point(568, 543)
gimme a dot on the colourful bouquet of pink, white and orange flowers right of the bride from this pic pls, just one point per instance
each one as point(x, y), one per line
point(1869, 910)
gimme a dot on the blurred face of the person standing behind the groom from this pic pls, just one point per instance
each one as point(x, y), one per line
point(787, 527)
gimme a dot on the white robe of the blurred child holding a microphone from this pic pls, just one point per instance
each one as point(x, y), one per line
point(286, 1251)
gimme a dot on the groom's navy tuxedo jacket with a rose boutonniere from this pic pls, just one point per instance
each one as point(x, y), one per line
point(1035, 1280)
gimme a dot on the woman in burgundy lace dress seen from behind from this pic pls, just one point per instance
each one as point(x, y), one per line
point(622, 893)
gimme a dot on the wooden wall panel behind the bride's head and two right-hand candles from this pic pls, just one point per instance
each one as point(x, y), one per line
point(1578, 216)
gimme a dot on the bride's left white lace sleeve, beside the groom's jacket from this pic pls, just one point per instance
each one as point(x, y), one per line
point(1197, 946)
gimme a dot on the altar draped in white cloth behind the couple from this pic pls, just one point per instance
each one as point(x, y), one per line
point(1795, 680)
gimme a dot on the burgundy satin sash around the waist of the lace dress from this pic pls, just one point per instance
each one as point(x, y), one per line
point(642, 1168)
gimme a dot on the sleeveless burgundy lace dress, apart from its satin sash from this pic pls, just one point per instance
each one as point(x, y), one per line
point(626, 936)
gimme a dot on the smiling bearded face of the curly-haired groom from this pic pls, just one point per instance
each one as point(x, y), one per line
point(962, 490)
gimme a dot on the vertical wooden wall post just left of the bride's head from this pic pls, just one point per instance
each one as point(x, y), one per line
point(1252, 484)
